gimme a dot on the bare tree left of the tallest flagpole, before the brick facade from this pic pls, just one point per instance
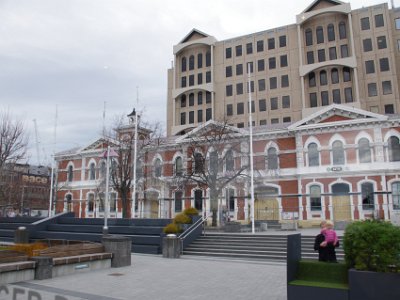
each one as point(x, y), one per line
point(218, 156)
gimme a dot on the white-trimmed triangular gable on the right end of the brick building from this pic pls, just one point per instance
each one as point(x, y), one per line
point(337, 114)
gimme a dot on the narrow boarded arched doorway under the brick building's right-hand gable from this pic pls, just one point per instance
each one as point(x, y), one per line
point(341, 202)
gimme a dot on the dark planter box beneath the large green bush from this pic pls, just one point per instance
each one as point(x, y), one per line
point(366, 285)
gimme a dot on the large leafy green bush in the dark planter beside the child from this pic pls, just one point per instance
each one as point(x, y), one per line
point(372, 246)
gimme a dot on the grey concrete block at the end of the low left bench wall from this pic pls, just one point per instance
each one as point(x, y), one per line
point(120, 247)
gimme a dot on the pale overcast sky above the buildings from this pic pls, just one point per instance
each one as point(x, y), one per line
point(79, 54)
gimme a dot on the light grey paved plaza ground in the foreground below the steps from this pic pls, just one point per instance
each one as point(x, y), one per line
point(153, 277)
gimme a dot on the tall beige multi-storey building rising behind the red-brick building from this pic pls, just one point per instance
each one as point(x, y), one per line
point(332, 54)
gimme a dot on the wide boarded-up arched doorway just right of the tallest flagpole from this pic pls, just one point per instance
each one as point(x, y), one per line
point(266, 205)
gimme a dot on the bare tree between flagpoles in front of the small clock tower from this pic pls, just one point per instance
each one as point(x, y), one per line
point(122, 165)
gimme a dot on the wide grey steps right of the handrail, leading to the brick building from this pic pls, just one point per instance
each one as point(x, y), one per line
point(250, 247)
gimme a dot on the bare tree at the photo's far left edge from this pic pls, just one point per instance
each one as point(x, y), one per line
point(13, 146)
